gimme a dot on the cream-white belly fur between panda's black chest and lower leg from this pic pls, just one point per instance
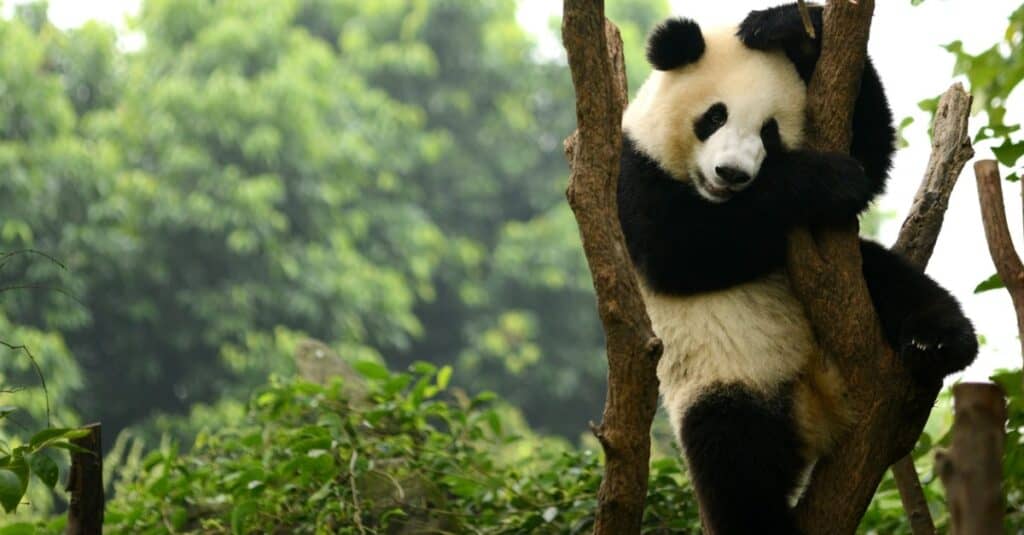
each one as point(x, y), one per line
point(755, 334)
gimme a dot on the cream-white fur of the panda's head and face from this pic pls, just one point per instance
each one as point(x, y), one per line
point(755, 87)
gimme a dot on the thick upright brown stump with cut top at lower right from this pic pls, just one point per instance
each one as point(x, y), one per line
point(972, 469)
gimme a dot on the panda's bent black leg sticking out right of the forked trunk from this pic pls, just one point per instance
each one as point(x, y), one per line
point(921, 320)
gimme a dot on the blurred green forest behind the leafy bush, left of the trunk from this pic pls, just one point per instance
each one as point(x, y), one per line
point(385, 177)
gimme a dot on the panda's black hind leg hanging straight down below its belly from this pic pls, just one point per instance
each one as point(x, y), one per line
point(745, 460)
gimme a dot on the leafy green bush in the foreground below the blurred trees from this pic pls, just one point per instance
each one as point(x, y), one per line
point(408, 457)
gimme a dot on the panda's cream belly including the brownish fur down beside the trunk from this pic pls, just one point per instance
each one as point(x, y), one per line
point(755, 336)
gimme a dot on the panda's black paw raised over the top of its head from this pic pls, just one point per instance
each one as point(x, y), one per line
point(782, 28)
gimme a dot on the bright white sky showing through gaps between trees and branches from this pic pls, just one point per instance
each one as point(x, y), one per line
point(906, 47)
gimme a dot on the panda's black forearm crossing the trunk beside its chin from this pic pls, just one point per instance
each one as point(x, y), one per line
point(809, 188)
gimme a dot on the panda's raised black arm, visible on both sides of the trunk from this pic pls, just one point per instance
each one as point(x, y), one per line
point(782, 28)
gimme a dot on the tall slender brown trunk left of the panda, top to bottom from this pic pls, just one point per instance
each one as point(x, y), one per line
point(595, 57)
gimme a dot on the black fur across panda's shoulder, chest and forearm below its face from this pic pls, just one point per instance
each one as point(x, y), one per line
point(684, 244)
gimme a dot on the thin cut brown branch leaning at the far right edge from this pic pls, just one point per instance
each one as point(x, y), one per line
point(1001, 248)
